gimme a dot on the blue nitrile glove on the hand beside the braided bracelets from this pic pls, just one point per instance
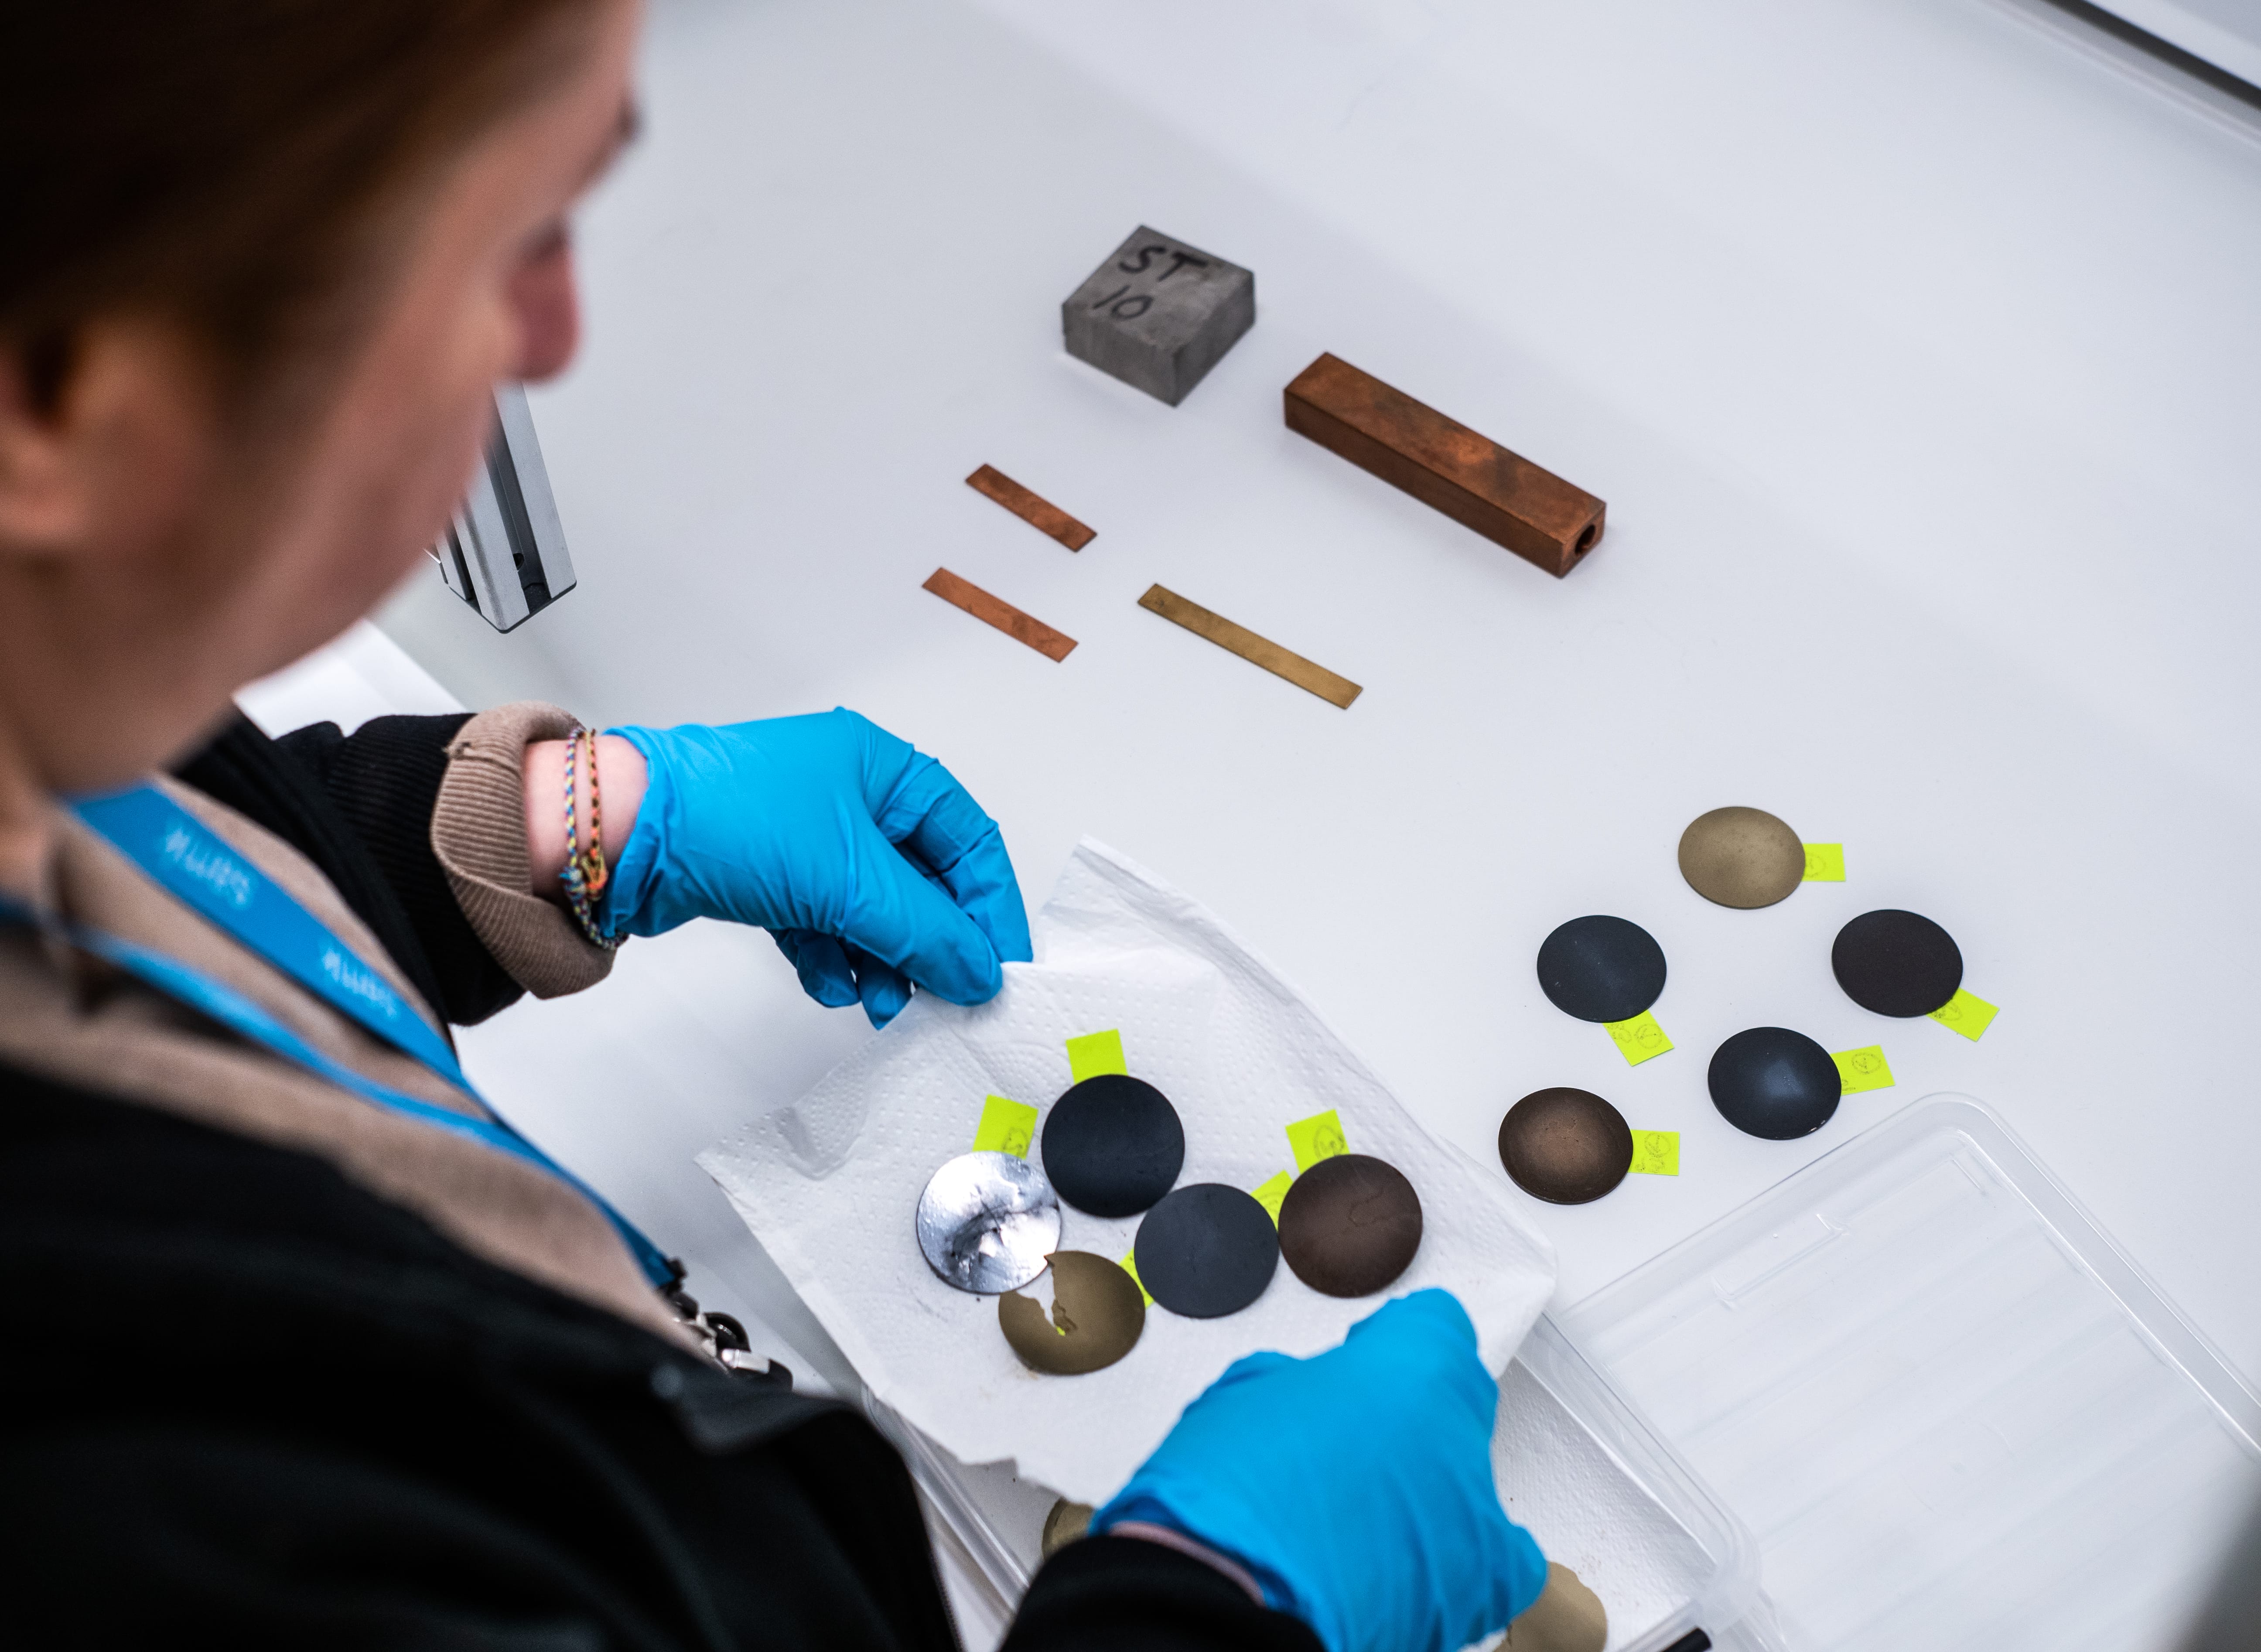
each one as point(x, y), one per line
point(869, 864)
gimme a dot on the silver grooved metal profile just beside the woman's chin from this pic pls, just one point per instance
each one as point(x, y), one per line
point(505, 553)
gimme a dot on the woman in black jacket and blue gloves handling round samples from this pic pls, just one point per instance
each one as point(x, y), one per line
point(304, 1346)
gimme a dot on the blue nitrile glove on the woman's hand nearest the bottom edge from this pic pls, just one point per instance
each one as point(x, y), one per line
point(1355, 1486)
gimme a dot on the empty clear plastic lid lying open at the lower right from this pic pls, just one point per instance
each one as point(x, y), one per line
point(1952, 1411)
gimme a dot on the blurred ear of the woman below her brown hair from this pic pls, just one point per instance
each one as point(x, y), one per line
point(114, 440)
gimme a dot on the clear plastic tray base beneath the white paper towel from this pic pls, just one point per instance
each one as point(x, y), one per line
point(1575, 1461)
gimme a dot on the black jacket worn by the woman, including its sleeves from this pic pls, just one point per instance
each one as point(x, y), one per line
point(250, 1405)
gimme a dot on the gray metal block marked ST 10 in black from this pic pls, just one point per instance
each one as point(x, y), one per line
point(1159, 315)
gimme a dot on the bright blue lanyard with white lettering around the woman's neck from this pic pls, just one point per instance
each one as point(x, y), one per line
point(196, 864)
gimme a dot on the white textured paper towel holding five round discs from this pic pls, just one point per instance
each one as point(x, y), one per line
point(829, 1185)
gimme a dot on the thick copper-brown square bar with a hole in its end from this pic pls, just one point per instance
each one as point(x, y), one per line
point(1446, 467)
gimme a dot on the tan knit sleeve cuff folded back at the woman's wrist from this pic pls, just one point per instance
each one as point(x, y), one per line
point(480, 840)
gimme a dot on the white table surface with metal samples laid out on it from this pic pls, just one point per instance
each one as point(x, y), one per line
point(1916, 351)
